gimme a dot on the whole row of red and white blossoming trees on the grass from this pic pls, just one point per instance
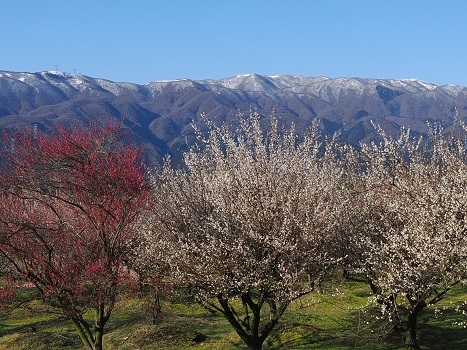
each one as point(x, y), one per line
point(251, 222)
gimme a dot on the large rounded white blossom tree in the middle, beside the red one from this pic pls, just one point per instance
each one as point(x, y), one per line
point(248, 222)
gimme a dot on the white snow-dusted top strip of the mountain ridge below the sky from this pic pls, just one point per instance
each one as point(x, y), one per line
point(328, 89)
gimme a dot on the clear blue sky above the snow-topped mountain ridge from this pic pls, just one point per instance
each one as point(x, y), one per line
point(145, 40)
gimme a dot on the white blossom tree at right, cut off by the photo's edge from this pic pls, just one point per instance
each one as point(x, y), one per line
point(407, 225)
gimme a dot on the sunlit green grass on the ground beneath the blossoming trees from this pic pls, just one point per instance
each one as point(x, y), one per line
point(342, 318)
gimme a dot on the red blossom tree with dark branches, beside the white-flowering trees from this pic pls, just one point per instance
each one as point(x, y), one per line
point(69, 205)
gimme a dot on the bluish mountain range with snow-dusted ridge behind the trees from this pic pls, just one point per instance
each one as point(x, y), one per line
point(160, 113)
